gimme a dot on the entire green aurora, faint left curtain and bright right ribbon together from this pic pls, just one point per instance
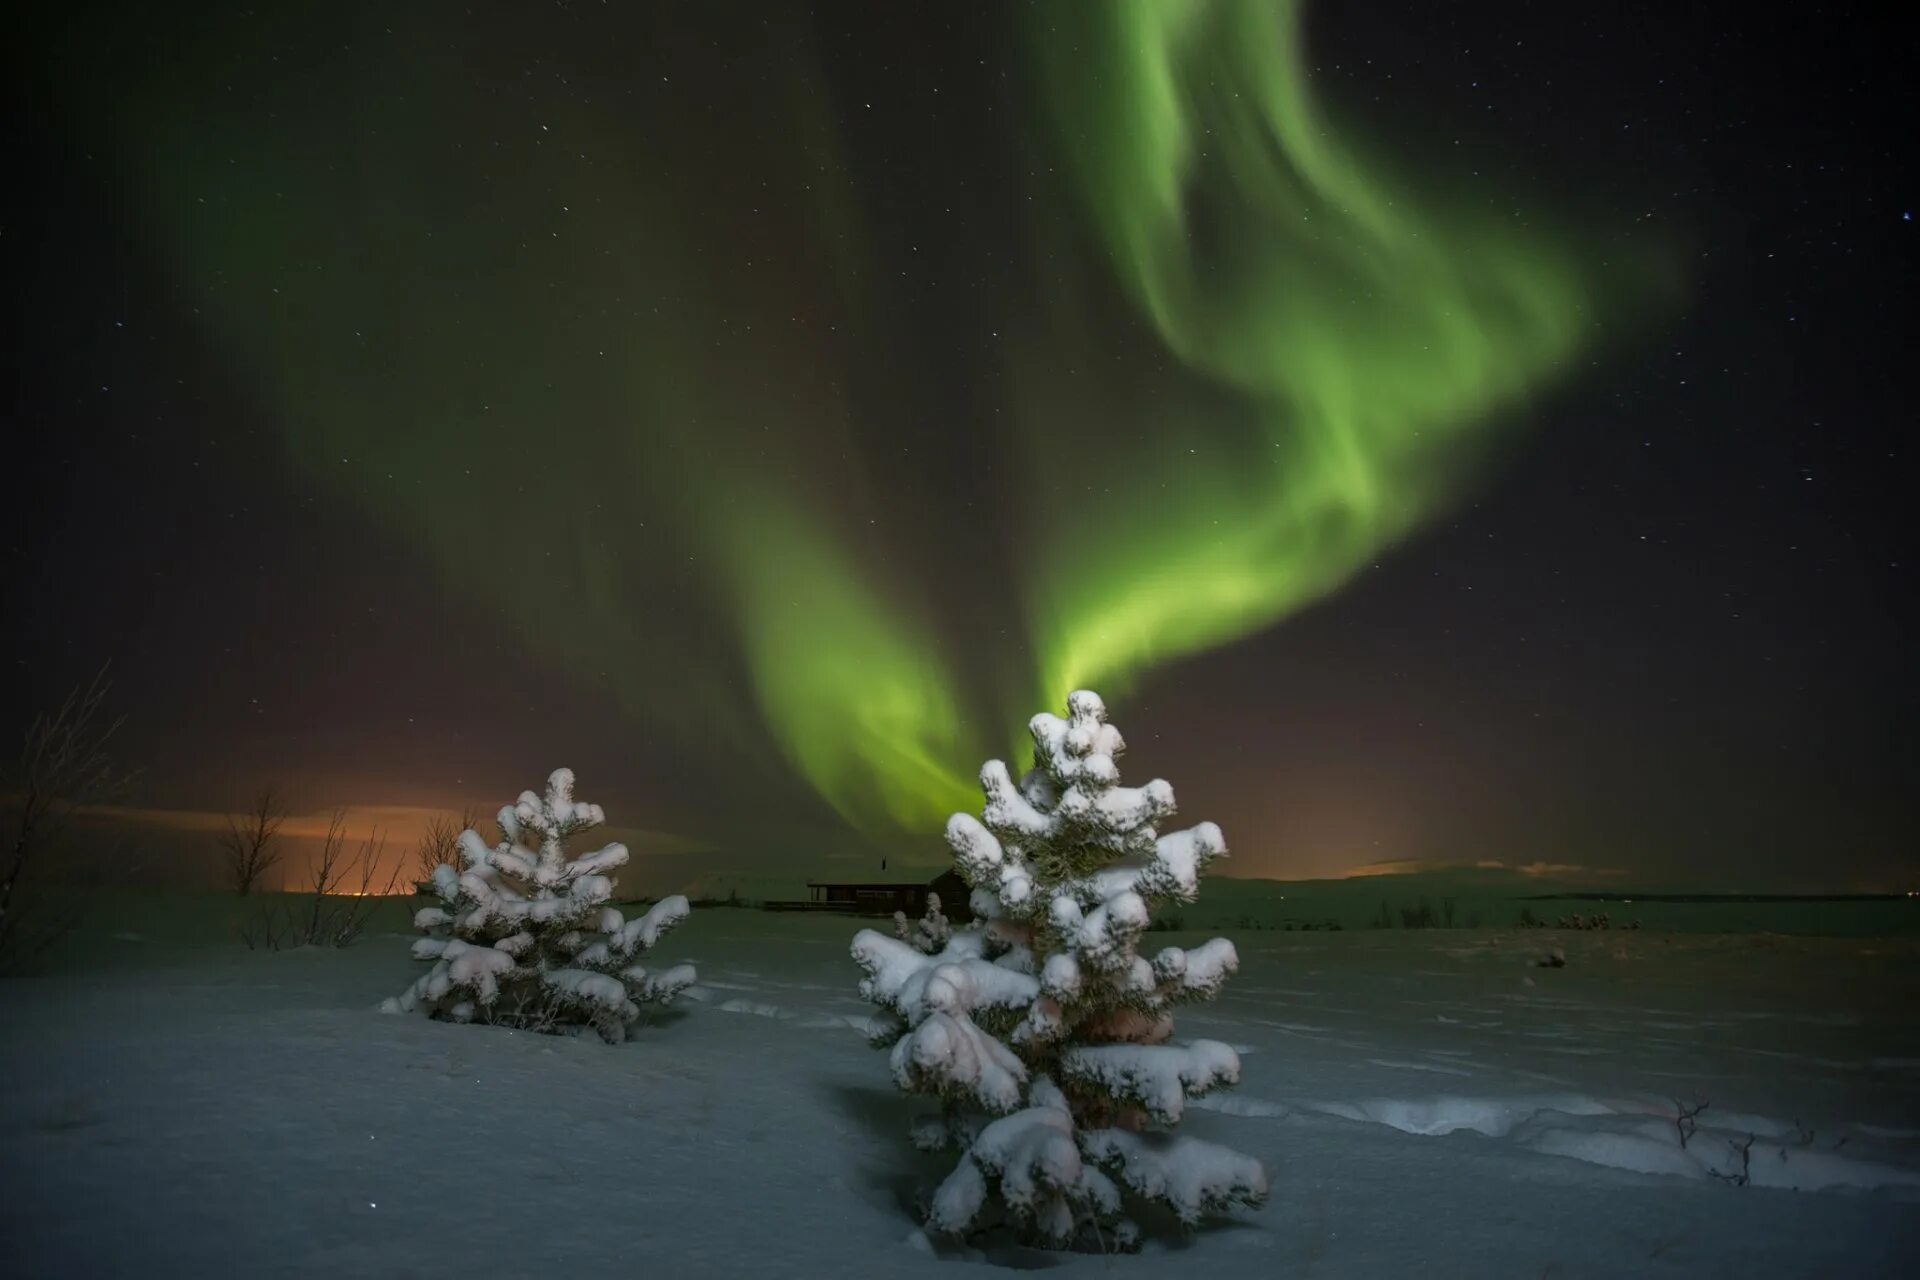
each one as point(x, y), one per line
point(633, 379)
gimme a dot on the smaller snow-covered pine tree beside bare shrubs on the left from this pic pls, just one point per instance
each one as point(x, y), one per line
point(525, 936)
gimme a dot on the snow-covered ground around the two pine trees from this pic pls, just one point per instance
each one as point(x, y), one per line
point(1428, 1102)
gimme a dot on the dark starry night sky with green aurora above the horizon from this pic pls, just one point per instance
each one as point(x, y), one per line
point(1443, 433)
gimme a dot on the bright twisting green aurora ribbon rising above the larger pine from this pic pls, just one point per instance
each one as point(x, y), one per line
point(1366, 341)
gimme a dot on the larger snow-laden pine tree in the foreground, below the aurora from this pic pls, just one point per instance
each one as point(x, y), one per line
point(1042, 1030)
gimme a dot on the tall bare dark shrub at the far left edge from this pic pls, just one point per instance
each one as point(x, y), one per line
point(62, 769)
